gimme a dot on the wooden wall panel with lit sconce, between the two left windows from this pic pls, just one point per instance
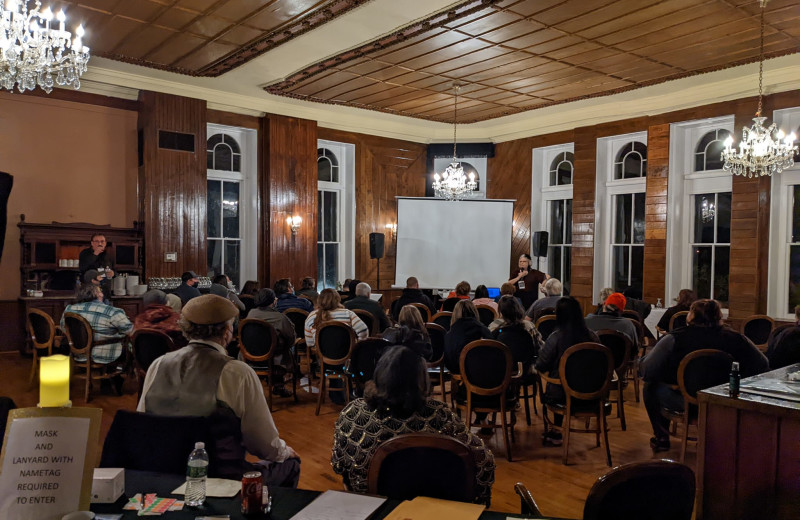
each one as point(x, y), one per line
point(287, 187)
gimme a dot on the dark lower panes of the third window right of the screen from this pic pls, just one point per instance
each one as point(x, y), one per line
point(711, 245)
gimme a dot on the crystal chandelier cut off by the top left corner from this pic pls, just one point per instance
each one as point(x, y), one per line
point(34, 52)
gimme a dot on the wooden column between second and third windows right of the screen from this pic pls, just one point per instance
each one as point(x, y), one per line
point(655, 215)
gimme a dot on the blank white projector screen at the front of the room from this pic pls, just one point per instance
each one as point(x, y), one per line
point(443, 242)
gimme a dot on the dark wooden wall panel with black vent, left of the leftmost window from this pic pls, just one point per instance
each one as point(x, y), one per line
point(172, 185)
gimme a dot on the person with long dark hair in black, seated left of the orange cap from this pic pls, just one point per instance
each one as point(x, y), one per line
point(570, 330)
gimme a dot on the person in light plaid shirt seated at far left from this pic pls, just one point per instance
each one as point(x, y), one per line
point(106, 321)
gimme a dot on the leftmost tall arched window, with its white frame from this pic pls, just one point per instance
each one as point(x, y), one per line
point(230, 214)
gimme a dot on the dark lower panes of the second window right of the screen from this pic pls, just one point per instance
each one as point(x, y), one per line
point(627, 246)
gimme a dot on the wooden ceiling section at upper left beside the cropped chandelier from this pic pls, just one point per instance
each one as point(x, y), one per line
point(196, 37)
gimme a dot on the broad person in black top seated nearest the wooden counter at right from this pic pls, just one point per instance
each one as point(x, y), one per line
point(659, 369)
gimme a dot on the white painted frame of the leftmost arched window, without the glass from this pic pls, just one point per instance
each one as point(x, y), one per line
point(248, 205)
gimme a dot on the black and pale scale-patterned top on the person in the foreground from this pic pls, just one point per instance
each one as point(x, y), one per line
point(359, 431)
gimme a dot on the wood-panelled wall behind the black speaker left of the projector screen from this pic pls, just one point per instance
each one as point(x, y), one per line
point(385, 168)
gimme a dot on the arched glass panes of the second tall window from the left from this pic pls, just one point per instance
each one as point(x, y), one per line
point(328, 219)
